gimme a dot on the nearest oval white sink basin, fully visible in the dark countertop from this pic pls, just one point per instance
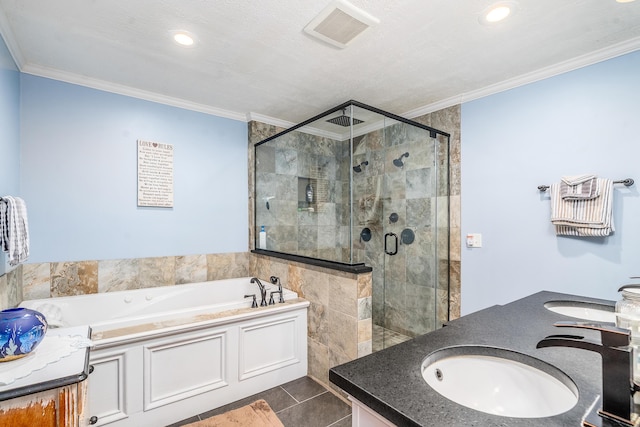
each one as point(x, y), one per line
point(499, 382)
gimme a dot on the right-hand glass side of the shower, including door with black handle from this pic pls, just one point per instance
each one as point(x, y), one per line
point(400, 210)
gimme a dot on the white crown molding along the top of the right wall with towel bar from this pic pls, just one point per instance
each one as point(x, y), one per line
point(601, 55)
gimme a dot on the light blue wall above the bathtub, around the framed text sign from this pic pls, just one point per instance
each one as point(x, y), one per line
point(79, 176)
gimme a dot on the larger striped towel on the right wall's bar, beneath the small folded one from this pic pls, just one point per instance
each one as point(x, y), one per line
point(583, 217)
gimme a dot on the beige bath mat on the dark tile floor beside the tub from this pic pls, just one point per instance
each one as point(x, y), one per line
point(257, 414)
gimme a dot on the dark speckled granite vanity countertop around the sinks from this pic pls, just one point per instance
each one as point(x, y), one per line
point(390, 381)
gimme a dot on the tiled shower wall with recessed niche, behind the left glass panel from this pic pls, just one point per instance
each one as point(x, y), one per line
point(284, 167)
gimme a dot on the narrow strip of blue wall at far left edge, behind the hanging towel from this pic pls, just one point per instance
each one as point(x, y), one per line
point(9, 130)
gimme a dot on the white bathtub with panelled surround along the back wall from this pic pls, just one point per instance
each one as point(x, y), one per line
point(160, 355)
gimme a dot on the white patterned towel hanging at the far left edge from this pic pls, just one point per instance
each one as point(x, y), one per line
point(14, 229)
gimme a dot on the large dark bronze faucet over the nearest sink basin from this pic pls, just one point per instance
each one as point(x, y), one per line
point(617, 365)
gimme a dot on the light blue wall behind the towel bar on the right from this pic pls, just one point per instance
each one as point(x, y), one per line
point(585, 121)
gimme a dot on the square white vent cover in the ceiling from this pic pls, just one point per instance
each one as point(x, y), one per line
point(340, 23)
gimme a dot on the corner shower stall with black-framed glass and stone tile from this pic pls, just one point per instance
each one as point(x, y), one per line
point(360, 189)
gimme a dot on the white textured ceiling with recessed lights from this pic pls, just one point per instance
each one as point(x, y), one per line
point(252, 56)
